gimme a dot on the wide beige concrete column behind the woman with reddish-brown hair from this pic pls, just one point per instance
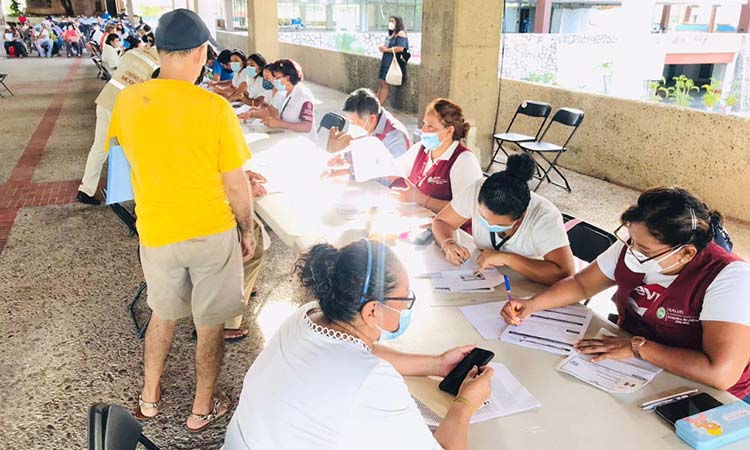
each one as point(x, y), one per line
point(460, 65)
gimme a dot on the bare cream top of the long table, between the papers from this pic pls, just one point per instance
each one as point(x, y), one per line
point(574, 415)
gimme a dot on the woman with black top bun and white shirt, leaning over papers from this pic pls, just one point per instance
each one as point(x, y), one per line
point(511, 225)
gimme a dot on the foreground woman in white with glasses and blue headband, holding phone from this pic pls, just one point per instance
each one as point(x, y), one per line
point(324, 382)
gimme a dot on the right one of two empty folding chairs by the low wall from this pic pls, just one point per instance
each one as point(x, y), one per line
point(567, 117)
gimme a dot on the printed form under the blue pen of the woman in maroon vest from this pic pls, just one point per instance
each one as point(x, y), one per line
point(554, 330)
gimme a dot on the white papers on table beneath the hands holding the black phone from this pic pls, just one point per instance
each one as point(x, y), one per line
point(508, 397)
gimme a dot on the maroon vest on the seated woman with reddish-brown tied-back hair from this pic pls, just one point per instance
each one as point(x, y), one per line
point(437, 181)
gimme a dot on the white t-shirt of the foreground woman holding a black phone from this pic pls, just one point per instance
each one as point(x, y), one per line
point(310, 391)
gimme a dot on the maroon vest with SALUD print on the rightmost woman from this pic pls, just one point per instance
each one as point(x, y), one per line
point(674, 318)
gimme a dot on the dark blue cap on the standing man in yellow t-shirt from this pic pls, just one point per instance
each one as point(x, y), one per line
point(182, 29)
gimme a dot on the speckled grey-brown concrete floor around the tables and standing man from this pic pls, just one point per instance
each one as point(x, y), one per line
point(68, 271)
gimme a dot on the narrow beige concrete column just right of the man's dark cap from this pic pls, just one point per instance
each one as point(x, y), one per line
point(263, 28)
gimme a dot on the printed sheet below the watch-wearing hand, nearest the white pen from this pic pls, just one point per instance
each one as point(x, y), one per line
point(616, 376)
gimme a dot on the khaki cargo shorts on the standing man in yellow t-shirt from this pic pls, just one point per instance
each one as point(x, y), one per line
point(202, 277)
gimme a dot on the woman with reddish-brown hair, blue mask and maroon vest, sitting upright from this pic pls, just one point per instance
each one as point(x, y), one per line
point(439, 166)
